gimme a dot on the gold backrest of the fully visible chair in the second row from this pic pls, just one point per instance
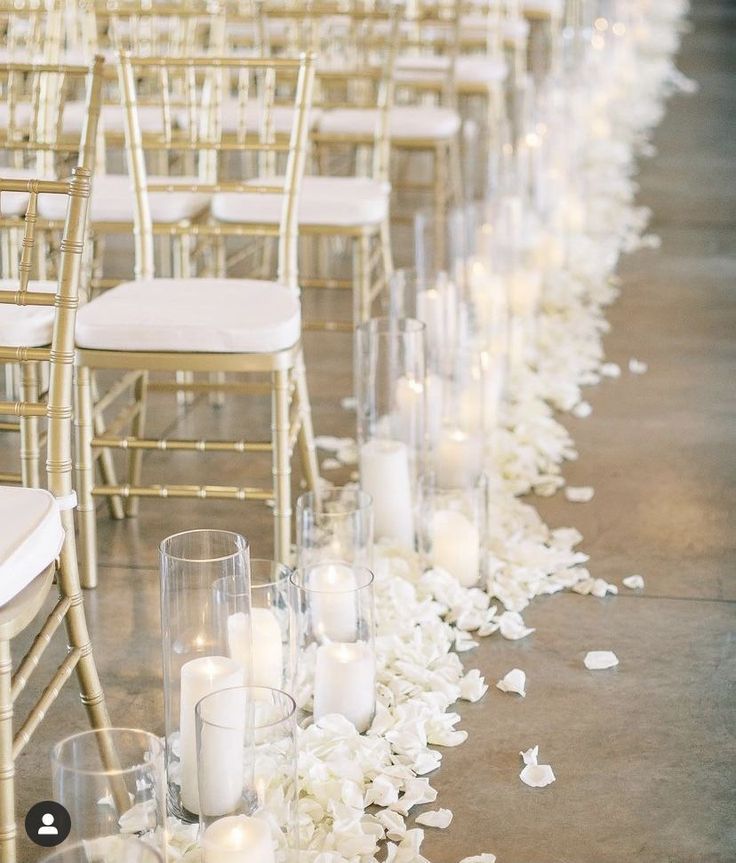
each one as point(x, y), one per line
point(190, 96)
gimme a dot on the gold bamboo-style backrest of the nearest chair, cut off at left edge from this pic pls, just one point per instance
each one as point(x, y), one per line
point(57, 408)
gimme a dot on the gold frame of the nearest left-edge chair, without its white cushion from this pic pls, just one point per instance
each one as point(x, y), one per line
point(16, 615)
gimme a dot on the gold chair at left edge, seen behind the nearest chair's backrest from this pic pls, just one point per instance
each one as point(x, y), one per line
point(32, 145)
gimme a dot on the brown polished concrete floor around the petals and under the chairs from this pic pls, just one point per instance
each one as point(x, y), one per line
point(644, 755)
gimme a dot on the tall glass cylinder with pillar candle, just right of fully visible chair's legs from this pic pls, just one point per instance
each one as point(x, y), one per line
point(392, 406)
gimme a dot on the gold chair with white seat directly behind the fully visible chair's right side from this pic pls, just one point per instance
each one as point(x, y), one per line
point(356, 51)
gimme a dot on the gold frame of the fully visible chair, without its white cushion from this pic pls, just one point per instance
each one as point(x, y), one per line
point(291, 414)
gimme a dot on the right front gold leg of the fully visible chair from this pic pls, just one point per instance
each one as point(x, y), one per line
point(281, 467)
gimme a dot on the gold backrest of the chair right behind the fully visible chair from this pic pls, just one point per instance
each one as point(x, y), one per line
point(356, 46)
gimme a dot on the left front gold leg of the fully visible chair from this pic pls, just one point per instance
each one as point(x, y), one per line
point(85, 477)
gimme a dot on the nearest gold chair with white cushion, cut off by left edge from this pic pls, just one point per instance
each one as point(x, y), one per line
point(37, 539)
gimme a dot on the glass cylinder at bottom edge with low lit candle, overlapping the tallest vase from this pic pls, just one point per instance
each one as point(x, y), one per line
point(247, 770)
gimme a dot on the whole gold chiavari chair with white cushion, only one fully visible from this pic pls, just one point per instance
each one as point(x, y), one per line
point(211, 325)
